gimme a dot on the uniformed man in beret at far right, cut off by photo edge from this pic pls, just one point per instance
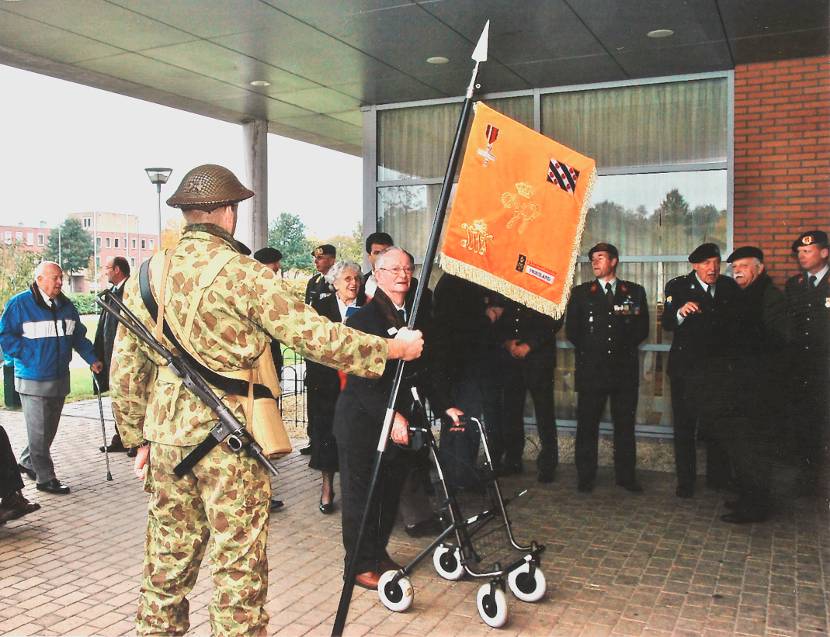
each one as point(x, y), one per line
point(808, 306)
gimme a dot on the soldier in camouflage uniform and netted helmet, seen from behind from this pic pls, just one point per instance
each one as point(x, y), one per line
point(226, 496)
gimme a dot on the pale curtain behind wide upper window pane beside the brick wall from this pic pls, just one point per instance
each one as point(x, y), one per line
point(653, 124)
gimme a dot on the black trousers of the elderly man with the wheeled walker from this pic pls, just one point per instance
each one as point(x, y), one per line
point(355, 475)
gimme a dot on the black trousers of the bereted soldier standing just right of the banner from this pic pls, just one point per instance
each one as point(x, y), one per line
point(589, 407)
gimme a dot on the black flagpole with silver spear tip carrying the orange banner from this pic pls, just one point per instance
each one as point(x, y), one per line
point(479, 55)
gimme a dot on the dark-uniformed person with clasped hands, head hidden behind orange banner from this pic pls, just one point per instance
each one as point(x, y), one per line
point(529, 341)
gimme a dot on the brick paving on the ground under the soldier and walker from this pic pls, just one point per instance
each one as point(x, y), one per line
point(616, 564)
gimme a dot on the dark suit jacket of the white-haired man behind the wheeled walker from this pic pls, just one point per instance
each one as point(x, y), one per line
point(361, 407)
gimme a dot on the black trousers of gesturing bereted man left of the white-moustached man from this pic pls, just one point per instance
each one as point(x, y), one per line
point(692, 417)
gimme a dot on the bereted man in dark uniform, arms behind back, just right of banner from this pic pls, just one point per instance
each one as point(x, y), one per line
point(607, 319)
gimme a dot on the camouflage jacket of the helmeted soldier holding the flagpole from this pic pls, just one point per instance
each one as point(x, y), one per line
point(246, 305)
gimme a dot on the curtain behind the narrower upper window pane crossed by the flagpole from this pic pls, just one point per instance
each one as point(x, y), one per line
point(415, 143)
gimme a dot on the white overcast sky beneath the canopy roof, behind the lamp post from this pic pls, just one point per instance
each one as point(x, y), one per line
point(70, 148)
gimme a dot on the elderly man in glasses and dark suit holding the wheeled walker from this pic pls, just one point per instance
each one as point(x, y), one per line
point(358, 422)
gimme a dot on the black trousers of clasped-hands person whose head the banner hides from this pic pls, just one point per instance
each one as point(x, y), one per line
point(521, 377)
